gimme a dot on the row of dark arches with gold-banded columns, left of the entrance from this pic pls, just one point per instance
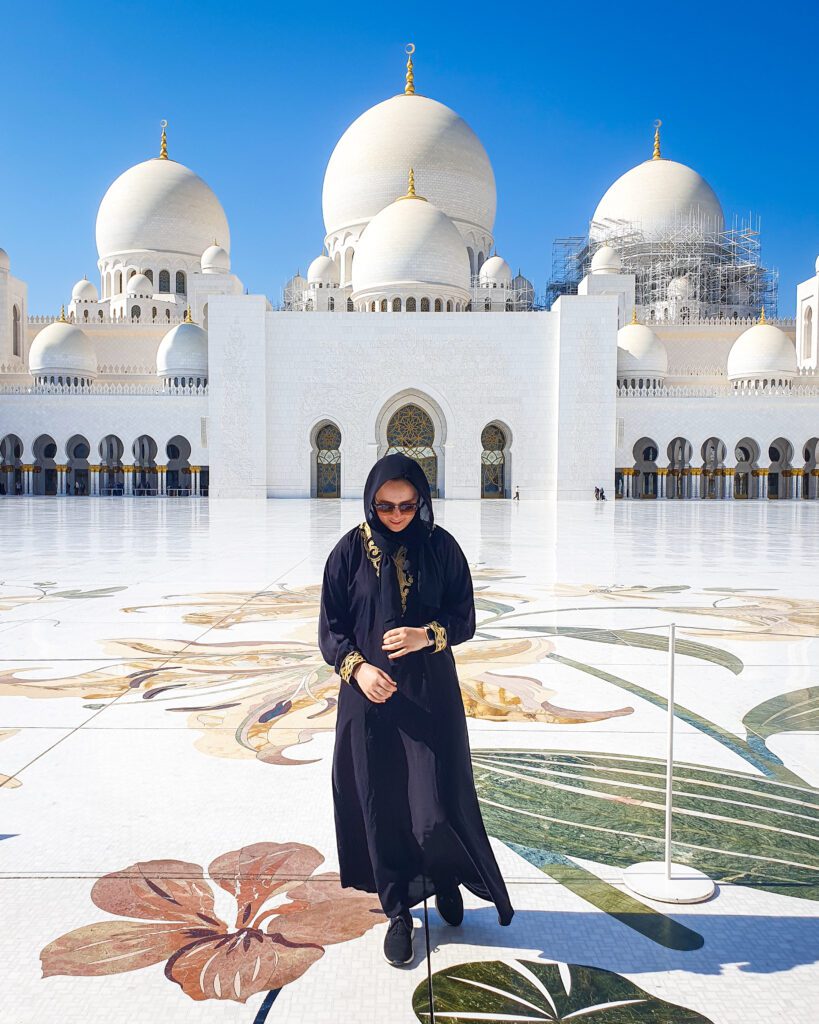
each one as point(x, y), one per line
point(141, 470)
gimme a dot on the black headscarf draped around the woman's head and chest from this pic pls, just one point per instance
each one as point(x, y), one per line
point(421, 562)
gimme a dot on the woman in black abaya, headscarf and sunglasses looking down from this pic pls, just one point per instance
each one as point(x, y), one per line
point(397, 596)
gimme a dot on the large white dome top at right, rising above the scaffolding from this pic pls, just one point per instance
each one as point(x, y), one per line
point(657, 197)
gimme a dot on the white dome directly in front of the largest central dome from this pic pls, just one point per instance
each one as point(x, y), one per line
point(412, 246)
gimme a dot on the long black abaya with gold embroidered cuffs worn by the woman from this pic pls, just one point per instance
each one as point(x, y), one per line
point(408, 820)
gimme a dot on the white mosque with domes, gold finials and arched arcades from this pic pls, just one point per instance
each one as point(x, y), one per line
point(655, 366)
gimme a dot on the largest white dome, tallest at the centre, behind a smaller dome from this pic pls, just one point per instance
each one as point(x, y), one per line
point(368, 168)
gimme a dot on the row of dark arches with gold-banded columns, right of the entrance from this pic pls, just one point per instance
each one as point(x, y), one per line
point(778, 472)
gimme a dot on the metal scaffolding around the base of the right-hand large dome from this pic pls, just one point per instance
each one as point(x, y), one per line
point(687, 273)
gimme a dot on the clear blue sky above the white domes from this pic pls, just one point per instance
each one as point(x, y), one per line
point(564, 98)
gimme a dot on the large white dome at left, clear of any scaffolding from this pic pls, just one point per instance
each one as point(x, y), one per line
point(160, 206)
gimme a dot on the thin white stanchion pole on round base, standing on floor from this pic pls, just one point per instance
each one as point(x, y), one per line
point(663, 880)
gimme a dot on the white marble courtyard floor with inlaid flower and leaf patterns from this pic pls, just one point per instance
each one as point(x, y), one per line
point(166, 734)
